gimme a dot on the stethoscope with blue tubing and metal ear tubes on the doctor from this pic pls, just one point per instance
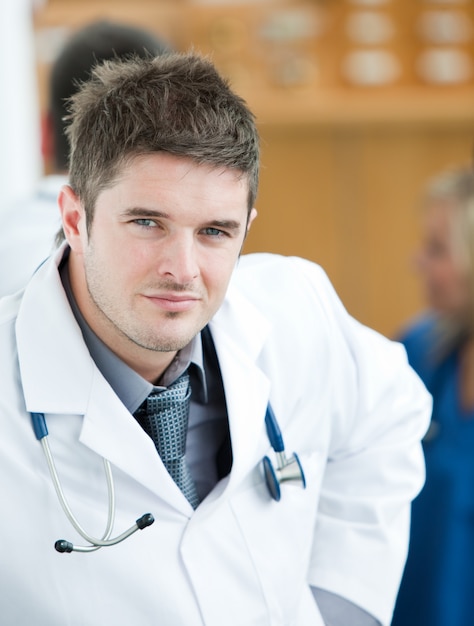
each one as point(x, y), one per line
point(288, 469)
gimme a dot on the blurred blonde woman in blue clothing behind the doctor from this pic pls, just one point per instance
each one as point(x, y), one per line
point(438, 584)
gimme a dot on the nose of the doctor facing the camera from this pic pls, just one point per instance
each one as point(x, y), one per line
point(178, 258)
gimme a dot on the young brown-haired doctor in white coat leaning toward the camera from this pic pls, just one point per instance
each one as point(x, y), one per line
point(147, 296)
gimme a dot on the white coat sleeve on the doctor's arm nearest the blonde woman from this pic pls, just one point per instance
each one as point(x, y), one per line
point(375, 463)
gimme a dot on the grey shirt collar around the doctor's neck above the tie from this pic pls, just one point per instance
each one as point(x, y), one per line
point(130, 387)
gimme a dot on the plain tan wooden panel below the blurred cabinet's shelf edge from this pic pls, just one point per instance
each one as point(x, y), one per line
point(347, 198)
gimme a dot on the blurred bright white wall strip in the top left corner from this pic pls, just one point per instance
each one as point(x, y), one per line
point(20, 157)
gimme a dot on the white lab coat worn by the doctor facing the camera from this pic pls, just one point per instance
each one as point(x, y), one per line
point(346, 402)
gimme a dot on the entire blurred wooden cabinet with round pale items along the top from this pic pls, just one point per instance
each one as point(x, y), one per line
point(358, 104)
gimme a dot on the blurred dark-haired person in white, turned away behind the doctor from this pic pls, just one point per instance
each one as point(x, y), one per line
point(28, 227)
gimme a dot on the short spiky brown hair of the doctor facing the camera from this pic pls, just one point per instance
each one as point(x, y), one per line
point(175, 103)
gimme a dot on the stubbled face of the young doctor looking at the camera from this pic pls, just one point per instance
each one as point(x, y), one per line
point(163, 243)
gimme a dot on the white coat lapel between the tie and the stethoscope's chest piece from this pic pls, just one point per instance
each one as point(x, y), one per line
point(239, 332)
